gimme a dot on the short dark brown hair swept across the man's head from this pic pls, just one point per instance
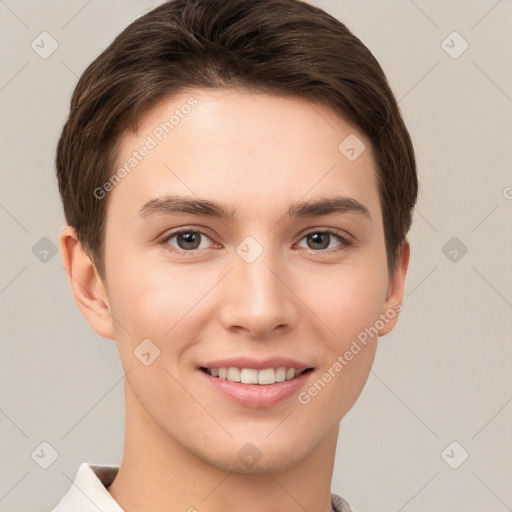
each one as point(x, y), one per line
point(284, 47)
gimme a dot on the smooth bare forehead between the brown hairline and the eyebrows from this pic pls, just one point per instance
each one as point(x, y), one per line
point(232, 145)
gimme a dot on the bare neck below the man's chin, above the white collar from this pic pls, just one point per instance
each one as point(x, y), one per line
point(158, 473)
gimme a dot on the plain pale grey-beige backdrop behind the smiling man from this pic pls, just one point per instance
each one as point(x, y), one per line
point(442, 376)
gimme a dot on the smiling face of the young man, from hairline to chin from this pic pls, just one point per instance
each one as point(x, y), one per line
point(284, 267)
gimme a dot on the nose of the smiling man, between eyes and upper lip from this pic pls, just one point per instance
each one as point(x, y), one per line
point(259, 299)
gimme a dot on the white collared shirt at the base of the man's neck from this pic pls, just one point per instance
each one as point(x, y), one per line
point(89, 493)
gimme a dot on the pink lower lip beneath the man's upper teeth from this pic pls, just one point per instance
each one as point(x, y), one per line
point(257, 395)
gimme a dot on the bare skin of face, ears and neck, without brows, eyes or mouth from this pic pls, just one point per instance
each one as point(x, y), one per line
point(257, 153)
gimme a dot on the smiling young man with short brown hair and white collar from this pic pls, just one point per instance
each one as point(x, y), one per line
point(238, 184)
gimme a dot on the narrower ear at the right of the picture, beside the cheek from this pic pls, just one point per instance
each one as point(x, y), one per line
point(395, 293)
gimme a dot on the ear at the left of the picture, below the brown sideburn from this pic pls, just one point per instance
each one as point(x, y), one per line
point(87, 287)
